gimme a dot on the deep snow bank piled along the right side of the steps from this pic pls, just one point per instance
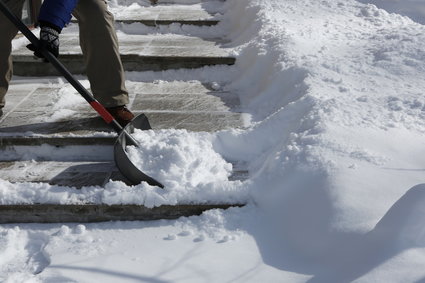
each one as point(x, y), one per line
point(336, 90)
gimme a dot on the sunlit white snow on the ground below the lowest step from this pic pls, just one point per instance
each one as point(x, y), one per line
point(214, 247)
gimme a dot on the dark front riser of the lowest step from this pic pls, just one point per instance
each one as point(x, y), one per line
point(55, 213)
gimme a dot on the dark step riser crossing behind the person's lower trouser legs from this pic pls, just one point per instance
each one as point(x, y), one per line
point(27, 66)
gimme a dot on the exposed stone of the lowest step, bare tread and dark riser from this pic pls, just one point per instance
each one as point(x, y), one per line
point(78, 174)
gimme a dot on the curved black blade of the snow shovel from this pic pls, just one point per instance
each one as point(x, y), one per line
point(124, 164)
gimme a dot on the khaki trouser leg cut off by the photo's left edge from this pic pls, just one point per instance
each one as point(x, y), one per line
point(7, 32)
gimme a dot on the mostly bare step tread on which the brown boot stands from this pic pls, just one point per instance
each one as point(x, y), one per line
point(61, 111)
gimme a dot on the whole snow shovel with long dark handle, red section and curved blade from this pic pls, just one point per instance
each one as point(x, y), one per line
point(124, 164)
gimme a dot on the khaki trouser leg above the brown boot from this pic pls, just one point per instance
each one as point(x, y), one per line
point(99, 44)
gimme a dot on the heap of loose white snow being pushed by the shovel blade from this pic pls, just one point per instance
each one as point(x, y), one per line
point(179, 158)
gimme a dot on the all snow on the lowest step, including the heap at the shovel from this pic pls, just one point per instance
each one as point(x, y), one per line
point(186, 163)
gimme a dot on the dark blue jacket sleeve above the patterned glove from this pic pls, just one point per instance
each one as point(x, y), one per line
point(57, 12)
